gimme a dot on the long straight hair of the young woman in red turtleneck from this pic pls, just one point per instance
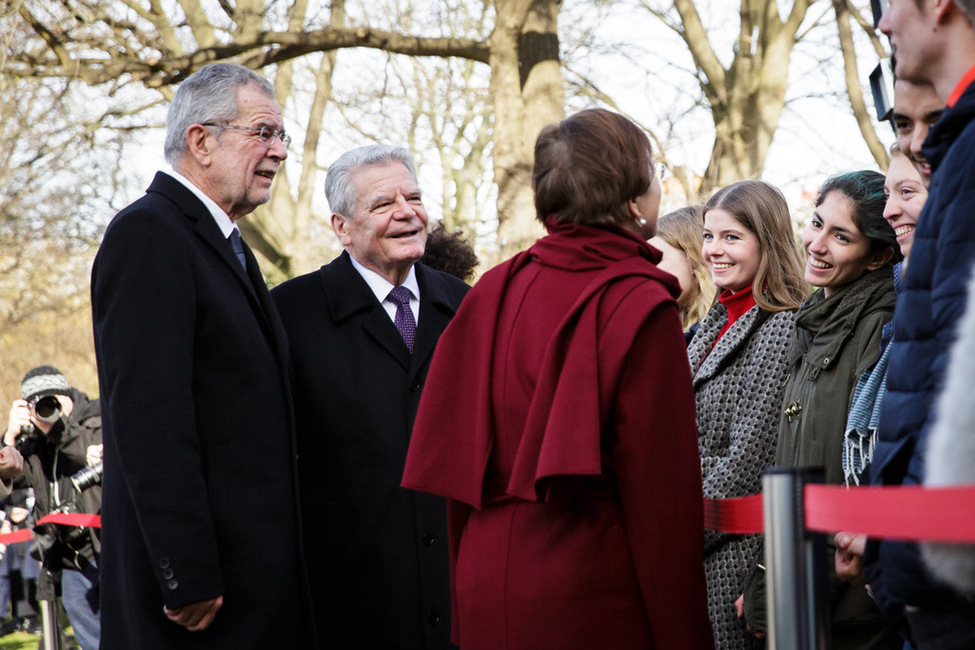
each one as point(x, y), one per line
point(780, 283)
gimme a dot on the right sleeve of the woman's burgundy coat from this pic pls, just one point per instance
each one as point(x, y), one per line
point(658, 472)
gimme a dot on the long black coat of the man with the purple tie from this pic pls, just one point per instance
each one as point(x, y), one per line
point(377, 552)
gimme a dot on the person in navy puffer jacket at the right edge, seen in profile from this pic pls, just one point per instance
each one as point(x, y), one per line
point(934, 44)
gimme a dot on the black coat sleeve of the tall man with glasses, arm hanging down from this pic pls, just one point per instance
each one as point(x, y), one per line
point(145, 313)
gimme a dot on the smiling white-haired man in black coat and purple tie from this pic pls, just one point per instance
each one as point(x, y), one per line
point(362, 330)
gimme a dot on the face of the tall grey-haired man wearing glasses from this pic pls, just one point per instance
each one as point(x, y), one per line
point(240, 166)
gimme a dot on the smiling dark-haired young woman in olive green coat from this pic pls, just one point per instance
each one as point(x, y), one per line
point(850, 251)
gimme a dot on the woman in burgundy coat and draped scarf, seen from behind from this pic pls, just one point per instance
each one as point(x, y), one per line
point(558, 419)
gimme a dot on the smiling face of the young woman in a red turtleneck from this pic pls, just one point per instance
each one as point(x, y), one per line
point(731, 250)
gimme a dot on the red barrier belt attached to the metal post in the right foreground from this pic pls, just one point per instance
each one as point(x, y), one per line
point(911, 512)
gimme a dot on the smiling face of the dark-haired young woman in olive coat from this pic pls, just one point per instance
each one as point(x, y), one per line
point(837, 253)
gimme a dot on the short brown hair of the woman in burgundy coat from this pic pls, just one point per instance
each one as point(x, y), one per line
point(589, 166)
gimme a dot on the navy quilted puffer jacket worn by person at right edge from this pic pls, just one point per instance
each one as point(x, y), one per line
point(928, 310)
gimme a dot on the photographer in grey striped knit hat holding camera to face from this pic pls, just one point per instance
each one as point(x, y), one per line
point(57, 429)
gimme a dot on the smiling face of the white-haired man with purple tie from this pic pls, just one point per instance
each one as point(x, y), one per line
point(388, 231)
